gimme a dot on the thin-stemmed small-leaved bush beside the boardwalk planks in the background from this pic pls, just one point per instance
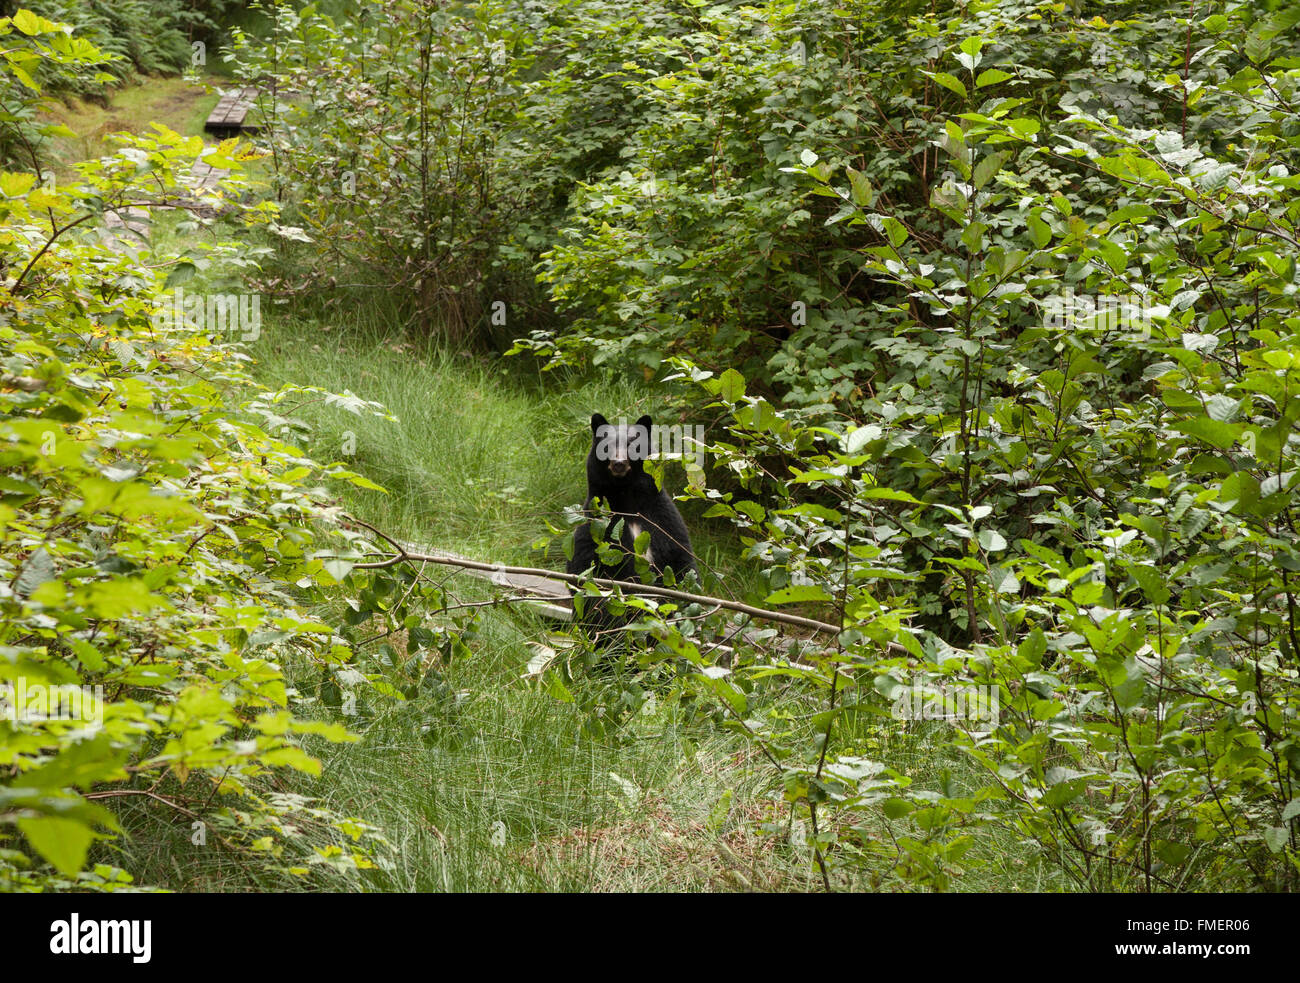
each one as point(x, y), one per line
point(391, 148)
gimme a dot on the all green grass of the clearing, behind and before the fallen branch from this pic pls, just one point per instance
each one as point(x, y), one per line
point(480, 458)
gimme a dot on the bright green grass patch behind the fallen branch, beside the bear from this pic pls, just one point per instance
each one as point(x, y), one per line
point(480, 457)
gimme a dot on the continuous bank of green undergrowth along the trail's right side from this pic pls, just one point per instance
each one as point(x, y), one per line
point(991, 318)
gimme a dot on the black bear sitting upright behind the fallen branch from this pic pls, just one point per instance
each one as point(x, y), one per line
point(617, 477)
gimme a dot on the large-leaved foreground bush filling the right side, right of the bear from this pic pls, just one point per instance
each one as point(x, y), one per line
point(1107, 493)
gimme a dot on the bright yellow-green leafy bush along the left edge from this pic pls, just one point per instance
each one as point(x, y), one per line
point(155, 540)
